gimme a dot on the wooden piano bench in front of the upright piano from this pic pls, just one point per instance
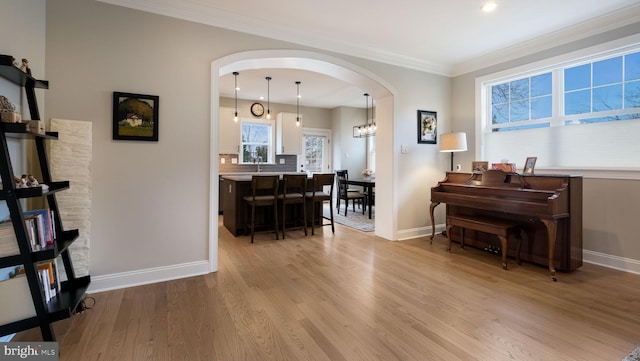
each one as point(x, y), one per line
point(500, 228)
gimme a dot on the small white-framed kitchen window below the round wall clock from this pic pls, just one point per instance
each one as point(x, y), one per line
point(256, 141)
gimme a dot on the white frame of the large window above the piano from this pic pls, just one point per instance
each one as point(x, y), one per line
point(556, 64)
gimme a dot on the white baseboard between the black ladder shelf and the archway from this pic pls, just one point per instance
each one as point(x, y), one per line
point(146, 276)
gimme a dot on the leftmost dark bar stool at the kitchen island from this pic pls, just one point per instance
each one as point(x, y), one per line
point(264, 193)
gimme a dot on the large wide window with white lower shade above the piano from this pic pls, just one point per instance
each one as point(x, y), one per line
point(581, 113)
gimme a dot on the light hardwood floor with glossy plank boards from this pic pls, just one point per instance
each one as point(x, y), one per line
point(353, 296)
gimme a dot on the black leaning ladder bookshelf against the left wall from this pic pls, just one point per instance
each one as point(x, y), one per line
point(73, 290)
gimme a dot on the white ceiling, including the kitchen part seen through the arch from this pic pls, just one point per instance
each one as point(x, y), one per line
point(443, 37)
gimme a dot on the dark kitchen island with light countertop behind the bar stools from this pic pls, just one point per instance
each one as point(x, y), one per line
point(236, 186)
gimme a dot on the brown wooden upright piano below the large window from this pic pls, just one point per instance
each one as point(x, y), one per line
point(548, 208)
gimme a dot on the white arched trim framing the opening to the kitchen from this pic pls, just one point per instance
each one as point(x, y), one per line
point(386, 210)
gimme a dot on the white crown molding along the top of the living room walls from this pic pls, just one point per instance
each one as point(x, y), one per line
point(206, 14)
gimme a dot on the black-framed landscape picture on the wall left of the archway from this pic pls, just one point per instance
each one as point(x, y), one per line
point(135, 116)
